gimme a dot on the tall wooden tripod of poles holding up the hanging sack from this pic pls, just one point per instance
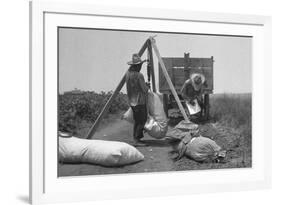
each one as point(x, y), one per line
point(149, 44)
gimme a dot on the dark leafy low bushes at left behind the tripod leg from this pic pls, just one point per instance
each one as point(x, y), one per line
point(74, 109)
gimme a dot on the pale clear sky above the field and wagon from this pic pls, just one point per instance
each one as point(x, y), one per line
point(96, 60)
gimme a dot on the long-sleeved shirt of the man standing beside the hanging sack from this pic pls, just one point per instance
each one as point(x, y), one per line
point(136, 88)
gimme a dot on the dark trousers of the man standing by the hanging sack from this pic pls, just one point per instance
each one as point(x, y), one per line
point(140, 117)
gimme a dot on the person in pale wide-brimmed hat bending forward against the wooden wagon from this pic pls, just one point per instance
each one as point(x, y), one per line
point(193, 88)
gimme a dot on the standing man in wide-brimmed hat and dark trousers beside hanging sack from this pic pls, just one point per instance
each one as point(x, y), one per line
point(137, 91)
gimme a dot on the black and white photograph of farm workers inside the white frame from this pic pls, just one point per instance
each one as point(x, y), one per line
point(148, 101)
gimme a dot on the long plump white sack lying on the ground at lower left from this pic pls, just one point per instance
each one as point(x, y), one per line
point(106, 153)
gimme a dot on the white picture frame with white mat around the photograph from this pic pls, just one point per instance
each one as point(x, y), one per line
point(45, 187)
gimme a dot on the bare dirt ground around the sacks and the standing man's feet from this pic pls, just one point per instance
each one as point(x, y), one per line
point(158, 155)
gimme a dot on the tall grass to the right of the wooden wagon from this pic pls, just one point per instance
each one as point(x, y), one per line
point(234, 113)
